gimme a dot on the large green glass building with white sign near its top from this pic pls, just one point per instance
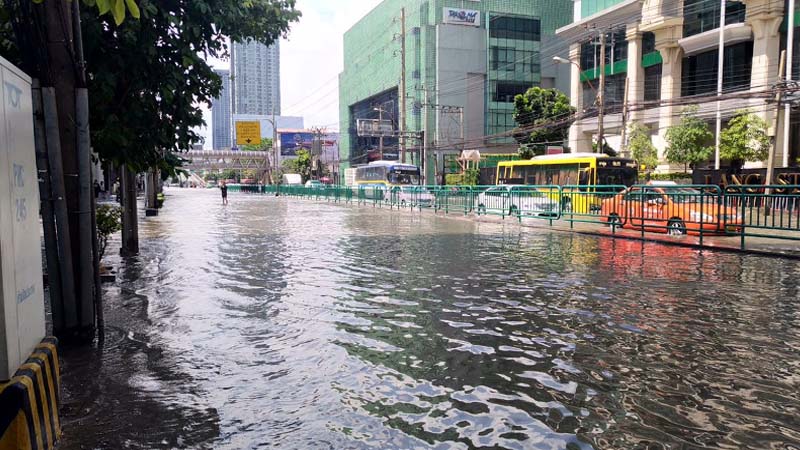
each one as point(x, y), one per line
point(465, 62)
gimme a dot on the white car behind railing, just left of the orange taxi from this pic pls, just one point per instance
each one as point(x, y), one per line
point(512, 201)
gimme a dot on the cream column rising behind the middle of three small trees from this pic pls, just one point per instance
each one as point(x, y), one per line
point(672, 56)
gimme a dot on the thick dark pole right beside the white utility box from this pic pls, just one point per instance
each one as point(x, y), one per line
point(67, 103)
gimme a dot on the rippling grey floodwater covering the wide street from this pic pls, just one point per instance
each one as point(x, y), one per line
point(275, 323)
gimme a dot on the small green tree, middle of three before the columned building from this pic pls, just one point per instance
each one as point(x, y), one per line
point(687, 142)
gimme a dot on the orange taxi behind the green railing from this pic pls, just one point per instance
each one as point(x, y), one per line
point(676, 210)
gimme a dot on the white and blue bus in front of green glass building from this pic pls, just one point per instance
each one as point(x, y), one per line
point(378, 179)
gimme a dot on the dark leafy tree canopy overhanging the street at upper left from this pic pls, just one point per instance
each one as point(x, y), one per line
point(149, 78)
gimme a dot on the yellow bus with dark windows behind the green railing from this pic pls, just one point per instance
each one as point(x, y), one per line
point(587, 178)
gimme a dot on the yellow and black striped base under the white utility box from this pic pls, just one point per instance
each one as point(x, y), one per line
point(29, 402)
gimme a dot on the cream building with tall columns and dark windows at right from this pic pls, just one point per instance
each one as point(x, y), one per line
point(668, 53)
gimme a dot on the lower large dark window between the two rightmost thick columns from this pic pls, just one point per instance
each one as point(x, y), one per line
point(700, 71)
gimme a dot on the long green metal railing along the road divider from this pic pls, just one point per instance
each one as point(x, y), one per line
point(771, 212)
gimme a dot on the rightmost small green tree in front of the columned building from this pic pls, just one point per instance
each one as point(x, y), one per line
point(745, 139)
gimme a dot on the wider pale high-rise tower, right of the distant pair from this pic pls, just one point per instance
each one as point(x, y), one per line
point(256, 78)
